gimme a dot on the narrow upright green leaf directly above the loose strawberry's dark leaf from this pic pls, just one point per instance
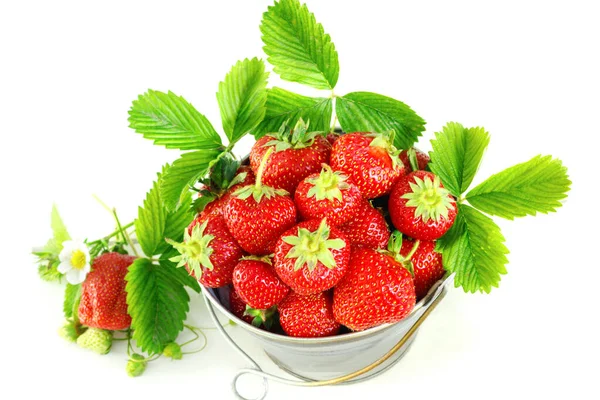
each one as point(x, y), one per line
point(150, 223)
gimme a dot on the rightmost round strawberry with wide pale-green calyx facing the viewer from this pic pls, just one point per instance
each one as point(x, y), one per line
point(421, 207)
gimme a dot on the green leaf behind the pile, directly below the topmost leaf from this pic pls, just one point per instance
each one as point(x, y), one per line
point(284, 106)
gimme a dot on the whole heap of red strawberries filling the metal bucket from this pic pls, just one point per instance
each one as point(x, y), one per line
point(298, 238)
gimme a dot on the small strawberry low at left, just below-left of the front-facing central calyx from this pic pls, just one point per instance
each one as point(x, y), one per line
point(257, 284)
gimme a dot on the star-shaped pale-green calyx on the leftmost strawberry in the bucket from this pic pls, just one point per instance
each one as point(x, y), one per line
point(194, 250)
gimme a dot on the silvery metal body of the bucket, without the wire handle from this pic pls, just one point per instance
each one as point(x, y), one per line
point(330, 357)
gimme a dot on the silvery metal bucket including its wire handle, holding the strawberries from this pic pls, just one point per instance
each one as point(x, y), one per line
point(345, 358)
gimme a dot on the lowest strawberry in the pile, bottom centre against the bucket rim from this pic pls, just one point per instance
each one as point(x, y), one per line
point(308, 316)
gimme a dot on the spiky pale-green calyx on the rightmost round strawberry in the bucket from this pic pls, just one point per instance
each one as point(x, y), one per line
point(430, 199)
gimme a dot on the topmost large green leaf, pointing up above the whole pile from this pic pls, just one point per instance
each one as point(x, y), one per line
point(298, 47)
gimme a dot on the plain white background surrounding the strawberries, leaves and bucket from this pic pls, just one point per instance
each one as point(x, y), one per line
point(527, 71)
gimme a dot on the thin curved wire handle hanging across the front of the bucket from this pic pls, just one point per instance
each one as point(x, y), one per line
point(257, 371)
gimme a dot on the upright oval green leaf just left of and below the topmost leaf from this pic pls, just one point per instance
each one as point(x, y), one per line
point(242, 97)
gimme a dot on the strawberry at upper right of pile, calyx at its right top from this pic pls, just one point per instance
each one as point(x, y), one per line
point(370, 160)
